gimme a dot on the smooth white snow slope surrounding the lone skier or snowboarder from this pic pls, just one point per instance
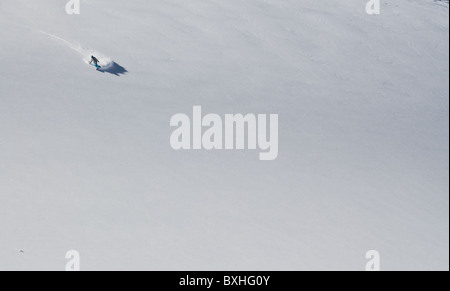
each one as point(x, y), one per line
point(86, 163)
